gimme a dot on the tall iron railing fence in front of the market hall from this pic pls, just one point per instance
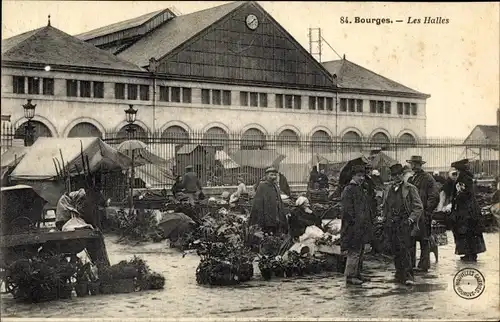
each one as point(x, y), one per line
point(221, 158)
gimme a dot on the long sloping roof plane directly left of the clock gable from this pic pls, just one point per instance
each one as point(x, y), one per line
point(174, 33)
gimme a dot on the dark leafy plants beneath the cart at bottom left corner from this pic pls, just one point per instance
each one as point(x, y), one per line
point(40, 279)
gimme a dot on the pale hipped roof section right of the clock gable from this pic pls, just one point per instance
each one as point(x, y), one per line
point(353, 76)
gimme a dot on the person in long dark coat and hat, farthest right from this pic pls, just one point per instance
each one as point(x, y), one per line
point(467, 229)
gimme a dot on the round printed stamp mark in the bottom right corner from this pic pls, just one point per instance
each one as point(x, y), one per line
point(469, 283)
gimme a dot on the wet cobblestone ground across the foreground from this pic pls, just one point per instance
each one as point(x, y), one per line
point(324, 296)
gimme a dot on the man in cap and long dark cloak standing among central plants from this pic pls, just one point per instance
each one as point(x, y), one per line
point(267, 207)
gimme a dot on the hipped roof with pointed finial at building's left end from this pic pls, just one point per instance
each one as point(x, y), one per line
point(51, 46)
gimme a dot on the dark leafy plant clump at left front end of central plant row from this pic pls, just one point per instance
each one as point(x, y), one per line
point(224, 264)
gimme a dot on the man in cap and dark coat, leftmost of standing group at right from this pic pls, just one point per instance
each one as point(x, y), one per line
point(356, 226)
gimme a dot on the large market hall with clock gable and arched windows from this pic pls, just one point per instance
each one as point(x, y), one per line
point(228, 72)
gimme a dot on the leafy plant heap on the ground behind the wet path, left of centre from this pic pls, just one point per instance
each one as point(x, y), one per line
point(138, 226)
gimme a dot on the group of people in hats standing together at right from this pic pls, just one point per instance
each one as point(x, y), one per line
point(408, 204)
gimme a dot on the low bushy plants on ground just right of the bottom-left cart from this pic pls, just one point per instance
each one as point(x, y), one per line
point(129, 276)
